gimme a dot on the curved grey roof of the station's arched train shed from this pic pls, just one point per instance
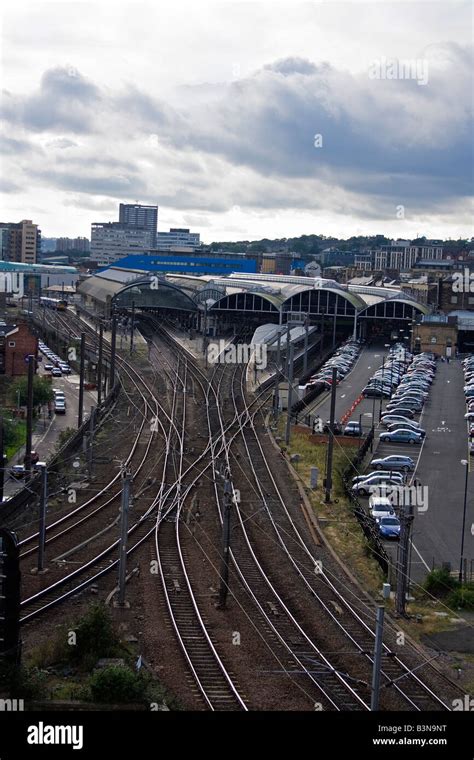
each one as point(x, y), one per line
point(249, 293)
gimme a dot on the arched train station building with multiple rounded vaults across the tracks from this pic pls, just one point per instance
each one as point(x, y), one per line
point(251, 299)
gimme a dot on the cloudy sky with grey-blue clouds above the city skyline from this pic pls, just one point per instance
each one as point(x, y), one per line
point(241, 120)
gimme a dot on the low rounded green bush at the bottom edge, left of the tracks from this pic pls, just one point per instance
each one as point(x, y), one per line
point(117, 684)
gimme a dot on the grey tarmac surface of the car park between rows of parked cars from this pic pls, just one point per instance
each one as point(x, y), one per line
point(437, 526)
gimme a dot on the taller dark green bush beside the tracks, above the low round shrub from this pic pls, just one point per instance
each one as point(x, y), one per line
point(95, 637)
